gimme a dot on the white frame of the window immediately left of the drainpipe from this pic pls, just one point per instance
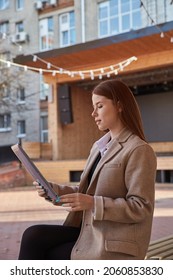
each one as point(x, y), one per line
point(66, 27)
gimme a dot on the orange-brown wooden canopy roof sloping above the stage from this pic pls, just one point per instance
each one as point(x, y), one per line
point(152, 52)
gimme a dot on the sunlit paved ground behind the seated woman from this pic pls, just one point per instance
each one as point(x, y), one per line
point(22, 207)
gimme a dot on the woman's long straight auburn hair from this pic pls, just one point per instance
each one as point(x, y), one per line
point(117, 91)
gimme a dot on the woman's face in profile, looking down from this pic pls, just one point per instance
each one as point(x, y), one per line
point(106, 114)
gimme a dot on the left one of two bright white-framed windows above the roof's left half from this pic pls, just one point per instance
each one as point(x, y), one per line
point(46, 33)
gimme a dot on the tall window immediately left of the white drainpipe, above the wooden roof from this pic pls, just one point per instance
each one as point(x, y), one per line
point(67, 29)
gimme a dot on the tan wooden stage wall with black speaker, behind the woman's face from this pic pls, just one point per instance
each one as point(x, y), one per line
point(74, 140)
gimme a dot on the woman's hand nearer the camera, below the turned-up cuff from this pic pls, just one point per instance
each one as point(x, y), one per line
point(77, 201)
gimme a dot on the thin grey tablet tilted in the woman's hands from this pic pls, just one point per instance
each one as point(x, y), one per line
point(33, 171)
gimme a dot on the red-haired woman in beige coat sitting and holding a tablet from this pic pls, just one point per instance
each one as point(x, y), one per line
point(112, 209)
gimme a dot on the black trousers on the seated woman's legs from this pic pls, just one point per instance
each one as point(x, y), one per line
point(48, 242)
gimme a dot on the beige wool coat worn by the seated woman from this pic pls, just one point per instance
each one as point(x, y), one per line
point(123, 186)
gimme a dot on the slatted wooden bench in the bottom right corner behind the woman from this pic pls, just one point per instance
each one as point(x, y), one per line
point(161, 249)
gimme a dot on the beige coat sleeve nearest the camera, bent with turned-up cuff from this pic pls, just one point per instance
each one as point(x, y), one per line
point(138, 203)
